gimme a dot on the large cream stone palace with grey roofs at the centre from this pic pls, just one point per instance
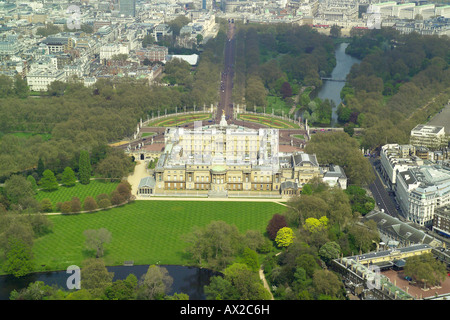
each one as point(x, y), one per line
point(228, 160)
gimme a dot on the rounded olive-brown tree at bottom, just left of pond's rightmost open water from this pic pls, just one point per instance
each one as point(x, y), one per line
point(155, 284)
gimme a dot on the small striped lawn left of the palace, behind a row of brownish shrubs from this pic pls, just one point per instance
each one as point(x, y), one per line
point(94, 188)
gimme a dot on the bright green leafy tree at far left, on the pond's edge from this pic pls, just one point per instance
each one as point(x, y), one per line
point(19, 258)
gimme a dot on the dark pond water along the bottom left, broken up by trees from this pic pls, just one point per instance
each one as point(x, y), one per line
point(188, 280)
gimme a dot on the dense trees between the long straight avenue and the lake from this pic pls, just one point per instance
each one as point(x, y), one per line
point(278, 60)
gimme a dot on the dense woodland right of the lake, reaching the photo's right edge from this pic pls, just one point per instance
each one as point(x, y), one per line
point(402, 80)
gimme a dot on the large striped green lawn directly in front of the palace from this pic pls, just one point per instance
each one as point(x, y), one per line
point(146, 232)
